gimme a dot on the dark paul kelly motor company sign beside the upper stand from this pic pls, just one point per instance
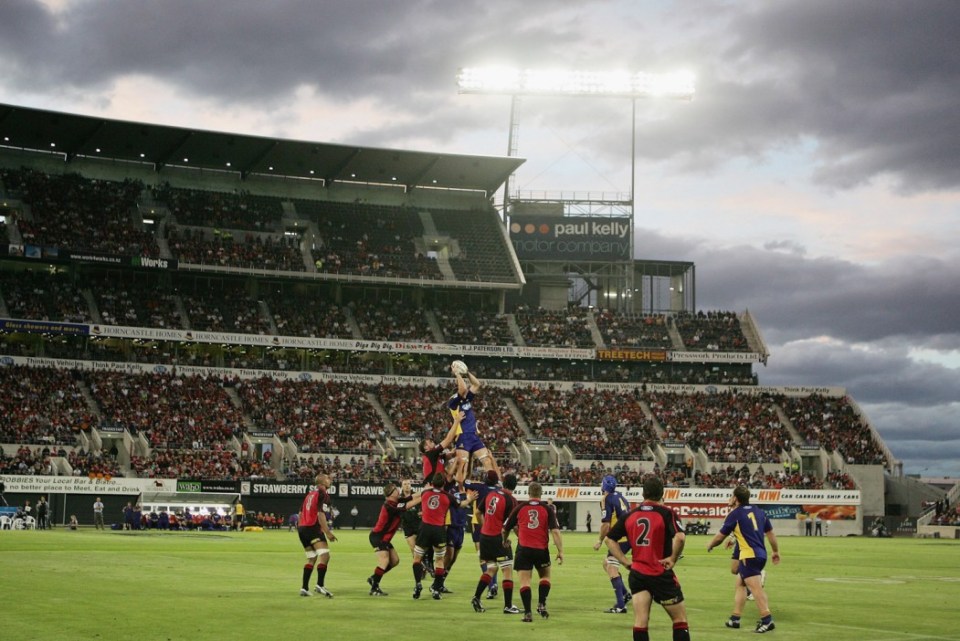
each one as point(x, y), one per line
point(570, 238)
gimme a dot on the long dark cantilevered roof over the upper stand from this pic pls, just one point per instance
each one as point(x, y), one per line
point(160, 145)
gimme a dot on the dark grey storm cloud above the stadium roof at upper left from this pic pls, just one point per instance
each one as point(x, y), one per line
point(247, 50)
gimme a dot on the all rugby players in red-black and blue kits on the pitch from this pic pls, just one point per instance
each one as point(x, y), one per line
point(650, 534)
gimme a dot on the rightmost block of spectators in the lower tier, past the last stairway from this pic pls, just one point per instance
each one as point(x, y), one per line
point(833, 424)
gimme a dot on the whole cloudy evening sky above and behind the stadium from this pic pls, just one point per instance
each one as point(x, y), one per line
point(815, 178)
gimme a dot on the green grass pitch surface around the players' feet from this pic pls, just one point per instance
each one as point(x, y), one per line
point(114, 585)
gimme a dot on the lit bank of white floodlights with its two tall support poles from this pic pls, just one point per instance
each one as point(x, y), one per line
point(563, 83)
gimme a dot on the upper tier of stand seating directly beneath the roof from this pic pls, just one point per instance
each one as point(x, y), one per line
point(70, 214)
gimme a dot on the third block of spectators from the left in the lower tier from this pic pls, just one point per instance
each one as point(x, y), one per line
point(317, 416)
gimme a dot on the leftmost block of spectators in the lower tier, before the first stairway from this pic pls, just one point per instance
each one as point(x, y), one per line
point(41, 405)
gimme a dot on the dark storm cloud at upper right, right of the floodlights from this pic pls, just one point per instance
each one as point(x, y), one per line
point(874, 82)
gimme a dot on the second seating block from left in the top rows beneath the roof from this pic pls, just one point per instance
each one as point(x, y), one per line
point(220, 210)
